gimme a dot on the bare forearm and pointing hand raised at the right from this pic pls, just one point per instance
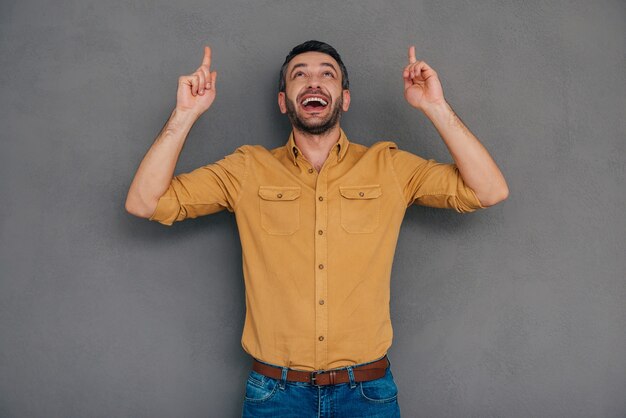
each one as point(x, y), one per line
point(423, 91)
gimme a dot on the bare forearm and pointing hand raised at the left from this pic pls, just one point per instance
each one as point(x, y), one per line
point(195, 95)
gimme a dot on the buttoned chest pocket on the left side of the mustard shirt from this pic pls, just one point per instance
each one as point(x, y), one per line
point(279, 207)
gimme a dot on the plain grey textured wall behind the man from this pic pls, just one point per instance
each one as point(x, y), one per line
point(515, 311)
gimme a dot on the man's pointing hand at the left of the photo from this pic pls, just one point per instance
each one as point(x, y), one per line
point(196, 91)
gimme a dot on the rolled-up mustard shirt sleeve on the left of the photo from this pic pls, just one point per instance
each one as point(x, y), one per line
point(203, 191)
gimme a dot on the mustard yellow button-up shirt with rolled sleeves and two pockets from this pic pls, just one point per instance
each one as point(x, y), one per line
point(317, 248)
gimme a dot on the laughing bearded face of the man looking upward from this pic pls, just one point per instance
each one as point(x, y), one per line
point(313, 97)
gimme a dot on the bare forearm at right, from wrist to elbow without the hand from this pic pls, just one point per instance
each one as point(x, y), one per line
point(478, 169)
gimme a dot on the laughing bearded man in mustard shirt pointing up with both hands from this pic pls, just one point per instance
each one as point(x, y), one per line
point(318, 220)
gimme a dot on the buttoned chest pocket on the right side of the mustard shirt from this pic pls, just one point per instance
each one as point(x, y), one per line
point(360, 207)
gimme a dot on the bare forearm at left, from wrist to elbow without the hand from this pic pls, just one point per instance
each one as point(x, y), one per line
point(156, 170)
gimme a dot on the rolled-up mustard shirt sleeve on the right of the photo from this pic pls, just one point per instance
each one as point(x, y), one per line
point(430, 183)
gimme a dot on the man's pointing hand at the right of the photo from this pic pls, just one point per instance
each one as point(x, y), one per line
point(422, 87)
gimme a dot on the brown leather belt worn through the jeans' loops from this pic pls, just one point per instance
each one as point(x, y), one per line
point(361, 373)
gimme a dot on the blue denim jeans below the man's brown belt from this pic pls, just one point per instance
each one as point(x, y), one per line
point(268, 397)
